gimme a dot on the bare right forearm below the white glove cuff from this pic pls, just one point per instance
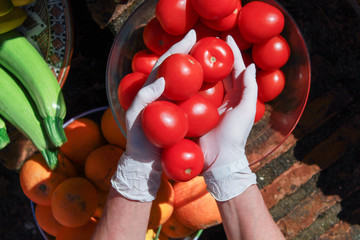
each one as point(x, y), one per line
point(247, 217)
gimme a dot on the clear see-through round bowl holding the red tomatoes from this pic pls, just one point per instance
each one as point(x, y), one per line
point(282, 114)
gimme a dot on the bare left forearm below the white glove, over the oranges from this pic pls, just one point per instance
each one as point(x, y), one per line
point(123, 219)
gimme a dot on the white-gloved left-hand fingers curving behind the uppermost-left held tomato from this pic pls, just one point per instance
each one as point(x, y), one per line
point(183, 46)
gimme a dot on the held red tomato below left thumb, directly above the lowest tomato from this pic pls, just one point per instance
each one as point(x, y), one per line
point(164, 123)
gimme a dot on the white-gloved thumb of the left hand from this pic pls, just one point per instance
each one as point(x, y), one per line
point(145, 96)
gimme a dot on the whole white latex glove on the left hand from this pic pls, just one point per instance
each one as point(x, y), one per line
point(138, 174)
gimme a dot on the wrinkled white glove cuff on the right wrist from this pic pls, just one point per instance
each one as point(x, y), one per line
point(231, 184)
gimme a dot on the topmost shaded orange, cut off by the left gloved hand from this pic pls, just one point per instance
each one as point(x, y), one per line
point(111, 130)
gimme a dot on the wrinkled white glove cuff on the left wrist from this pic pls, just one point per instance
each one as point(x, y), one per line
point(134, 181)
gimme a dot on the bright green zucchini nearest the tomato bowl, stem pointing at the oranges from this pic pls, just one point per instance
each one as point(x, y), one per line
point(21, 58)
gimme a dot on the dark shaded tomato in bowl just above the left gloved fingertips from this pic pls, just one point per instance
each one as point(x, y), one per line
point(157, 39)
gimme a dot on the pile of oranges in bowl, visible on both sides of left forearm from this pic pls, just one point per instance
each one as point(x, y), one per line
point(70, 199)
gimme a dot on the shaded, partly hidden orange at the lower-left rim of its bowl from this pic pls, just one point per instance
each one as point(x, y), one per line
point(46, 220)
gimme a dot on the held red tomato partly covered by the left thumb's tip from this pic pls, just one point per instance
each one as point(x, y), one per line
point(183, 76)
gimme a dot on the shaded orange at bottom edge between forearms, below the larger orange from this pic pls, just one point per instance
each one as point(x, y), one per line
point(175, 229)
